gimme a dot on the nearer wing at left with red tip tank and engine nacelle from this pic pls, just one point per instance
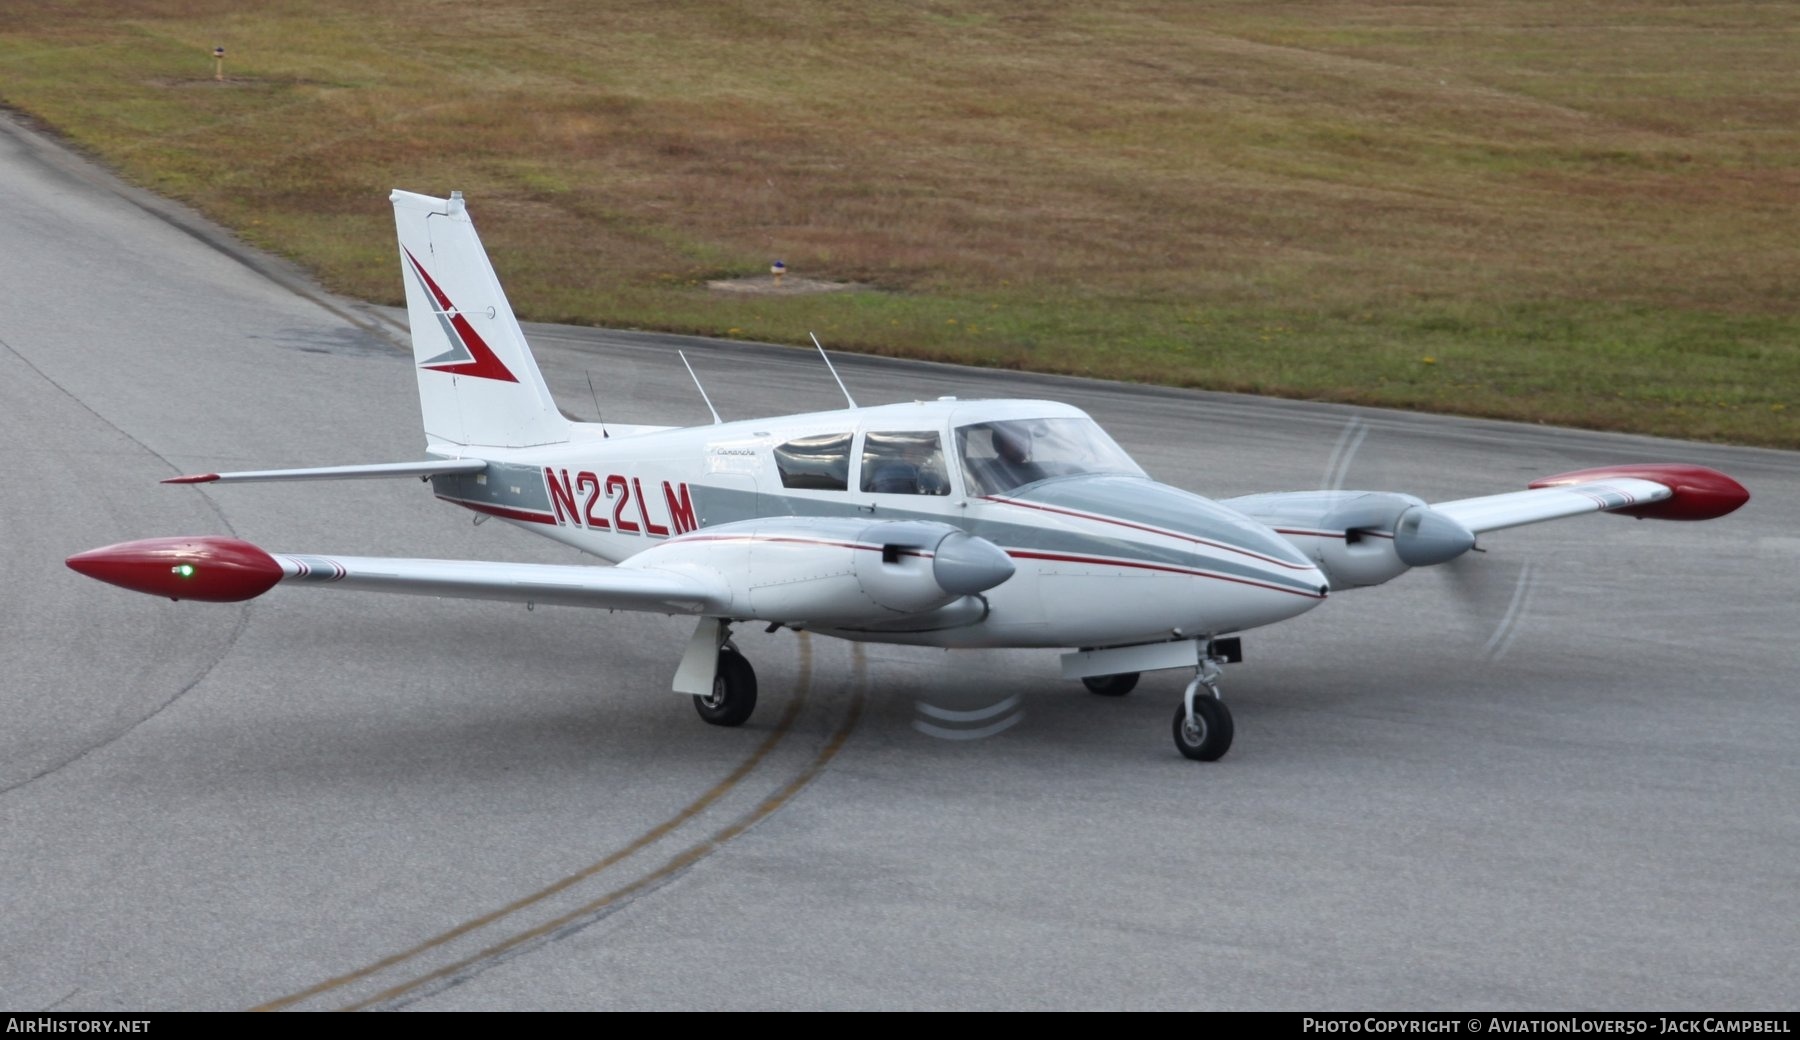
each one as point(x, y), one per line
point(793, 569)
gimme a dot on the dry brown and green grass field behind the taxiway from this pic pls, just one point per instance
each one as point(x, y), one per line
point(1302, 199)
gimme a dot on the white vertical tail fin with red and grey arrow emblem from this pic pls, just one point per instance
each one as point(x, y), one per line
point(478, 381)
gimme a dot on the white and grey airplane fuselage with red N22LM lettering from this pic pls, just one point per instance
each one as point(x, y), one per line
point(1101, 559)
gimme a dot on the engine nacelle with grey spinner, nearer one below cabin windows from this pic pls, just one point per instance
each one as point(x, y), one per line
point(836, 571)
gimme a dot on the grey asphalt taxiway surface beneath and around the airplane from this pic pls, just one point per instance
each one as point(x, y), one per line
point(1561, 782)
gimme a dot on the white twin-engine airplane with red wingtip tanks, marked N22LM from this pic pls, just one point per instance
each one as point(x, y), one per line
point(971, 524)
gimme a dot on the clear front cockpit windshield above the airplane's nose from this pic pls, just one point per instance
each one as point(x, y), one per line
point(1003, 456)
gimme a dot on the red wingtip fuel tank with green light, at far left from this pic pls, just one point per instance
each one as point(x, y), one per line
point(208, 569)
